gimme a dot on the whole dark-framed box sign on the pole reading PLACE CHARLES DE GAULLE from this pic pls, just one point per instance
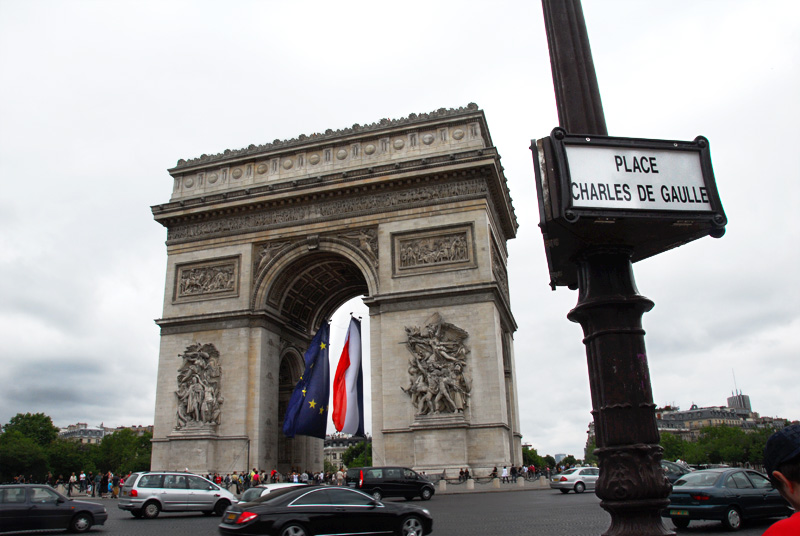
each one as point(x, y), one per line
point(646, 195)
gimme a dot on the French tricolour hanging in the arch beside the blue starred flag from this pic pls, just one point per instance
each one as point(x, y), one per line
point(348, 385)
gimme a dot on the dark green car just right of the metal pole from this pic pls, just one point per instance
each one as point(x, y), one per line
point(729, 495)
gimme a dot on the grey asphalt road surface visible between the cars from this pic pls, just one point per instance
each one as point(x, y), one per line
point(534, 512)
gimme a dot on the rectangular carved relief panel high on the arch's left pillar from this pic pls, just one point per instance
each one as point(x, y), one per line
point(216, 279)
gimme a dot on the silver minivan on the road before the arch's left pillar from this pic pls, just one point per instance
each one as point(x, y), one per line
point(146, 494)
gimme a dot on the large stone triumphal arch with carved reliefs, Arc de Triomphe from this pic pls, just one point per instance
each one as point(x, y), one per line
point(266, 242)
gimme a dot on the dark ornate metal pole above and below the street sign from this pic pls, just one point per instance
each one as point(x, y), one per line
point(632, 485)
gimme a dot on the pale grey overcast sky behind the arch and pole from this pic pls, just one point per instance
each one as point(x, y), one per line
point(99, 98)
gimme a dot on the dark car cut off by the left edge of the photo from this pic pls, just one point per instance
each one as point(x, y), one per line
point(39, 507)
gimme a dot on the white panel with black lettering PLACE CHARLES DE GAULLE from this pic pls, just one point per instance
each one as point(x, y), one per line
point(636, 179)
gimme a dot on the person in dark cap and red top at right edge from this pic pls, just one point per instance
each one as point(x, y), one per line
point(782, 464)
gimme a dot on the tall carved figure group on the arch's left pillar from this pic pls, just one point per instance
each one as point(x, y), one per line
point(198, 393)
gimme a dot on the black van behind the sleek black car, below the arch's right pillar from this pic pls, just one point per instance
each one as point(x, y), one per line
point(383, 482)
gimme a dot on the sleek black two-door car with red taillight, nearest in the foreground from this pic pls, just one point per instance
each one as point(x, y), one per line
point(311, 510)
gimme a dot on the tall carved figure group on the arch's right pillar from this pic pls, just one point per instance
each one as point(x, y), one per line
point(439, 382)
